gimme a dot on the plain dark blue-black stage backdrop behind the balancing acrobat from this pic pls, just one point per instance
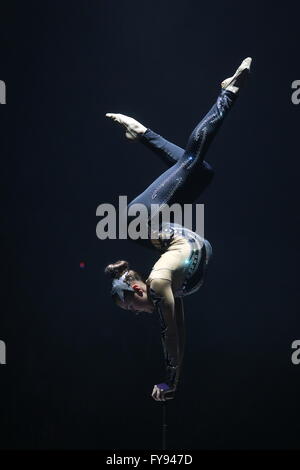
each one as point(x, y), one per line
point(80, 371)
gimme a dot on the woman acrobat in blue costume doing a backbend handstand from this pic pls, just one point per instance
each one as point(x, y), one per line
point(181, 268)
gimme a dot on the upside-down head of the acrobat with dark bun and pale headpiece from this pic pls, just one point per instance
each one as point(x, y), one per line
point(131, 292)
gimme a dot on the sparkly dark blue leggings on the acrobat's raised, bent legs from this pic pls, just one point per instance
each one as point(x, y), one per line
point(188, 174)
